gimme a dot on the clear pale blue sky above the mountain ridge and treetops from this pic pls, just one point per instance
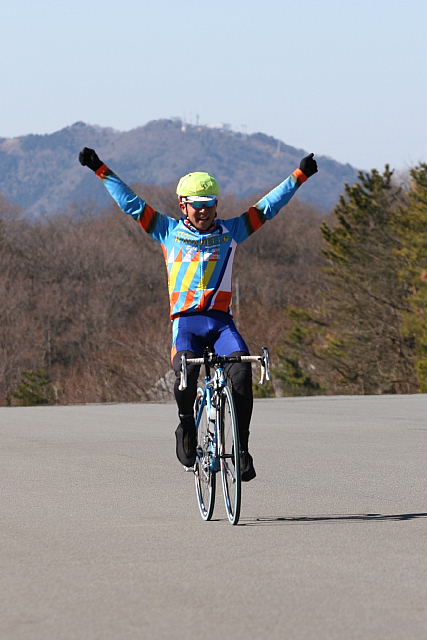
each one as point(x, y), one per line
point(341, 78)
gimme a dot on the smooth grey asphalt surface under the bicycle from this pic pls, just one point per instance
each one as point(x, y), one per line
point(101, 537)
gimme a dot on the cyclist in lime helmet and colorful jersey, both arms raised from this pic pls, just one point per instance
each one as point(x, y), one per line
point(199, 250)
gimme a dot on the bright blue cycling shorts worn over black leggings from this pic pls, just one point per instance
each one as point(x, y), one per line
point(214, 329)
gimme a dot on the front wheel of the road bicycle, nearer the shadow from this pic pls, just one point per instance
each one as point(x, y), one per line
point(229, 456)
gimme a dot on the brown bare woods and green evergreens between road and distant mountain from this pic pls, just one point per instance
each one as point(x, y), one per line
point(339, 299)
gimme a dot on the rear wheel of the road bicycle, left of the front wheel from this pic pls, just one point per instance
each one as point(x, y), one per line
point(205, 478)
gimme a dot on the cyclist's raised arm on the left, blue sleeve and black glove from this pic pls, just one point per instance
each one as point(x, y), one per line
point(153, 222)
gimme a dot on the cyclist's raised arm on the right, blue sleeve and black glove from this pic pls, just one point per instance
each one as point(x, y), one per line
point(270, 205)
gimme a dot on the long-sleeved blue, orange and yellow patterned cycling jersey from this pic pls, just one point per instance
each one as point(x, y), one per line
point(199, 264)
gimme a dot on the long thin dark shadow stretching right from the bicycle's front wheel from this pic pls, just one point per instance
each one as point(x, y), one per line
point(362, 517)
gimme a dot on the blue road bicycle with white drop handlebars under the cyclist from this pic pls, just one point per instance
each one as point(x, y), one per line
point(218, 448)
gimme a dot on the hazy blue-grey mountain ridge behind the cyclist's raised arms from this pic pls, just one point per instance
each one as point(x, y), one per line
point(42, 174)
